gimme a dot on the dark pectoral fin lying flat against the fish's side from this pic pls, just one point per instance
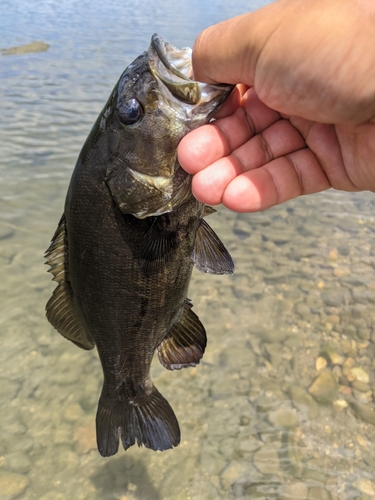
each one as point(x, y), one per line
point(157, 246)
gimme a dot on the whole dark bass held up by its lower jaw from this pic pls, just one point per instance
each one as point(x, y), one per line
point(126, 244)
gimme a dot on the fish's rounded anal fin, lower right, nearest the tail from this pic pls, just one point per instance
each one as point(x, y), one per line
point(185, 343)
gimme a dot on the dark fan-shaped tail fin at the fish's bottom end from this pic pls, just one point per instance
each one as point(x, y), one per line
point(149, 420)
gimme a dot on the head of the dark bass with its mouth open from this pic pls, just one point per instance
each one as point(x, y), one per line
point(154, 104)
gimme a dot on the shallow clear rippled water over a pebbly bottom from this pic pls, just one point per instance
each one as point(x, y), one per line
point(282, 405)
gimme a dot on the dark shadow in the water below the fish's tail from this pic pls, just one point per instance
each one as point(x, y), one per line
point(124, 477)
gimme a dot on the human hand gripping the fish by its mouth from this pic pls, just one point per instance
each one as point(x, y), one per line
point(322, 84)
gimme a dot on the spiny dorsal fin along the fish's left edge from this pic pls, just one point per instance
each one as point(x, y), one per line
point(60, 311)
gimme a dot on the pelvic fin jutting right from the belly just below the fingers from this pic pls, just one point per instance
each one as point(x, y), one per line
point(209, 254)
